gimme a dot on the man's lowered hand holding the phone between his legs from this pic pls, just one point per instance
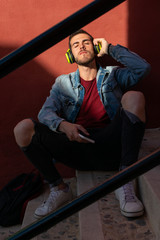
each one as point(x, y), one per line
point(72, 131)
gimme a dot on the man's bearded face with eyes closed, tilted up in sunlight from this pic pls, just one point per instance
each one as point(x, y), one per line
point(82, 49)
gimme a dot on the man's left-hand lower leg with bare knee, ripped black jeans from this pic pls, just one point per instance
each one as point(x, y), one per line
point(28, 139)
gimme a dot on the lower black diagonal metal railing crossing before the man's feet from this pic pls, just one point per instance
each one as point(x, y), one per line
point(89, 197)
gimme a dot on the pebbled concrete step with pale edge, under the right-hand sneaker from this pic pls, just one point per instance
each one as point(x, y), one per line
point(103, 220)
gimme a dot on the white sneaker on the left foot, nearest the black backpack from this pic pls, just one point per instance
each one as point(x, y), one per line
point(56, 199)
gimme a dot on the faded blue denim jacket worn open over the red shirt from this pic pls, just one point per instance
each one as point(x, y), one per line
point(66, 95)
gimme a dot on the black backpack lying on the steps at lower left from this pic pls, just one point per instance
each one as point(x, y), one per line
point(15, 196)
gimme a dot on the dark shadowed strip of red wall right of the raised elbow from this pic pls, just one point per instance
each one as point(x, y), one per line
point(144, 38)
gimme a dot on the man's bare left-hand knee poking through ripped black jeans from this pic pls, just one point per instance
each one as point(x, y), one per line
point(23, 132)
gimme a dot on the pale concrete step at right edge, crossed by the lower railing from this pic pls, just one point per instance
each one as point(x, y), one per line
point(149, 183)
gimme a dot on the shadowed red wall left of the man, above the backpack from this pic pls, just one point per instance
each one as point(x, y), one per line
point(23, 93)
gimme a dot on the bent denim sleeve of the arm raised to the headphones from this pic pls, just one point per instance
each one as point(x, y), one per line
point(135, 67)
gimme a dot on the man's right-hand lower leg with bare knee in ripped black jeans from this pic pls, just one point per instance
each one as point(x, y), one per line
point(133, 126)
